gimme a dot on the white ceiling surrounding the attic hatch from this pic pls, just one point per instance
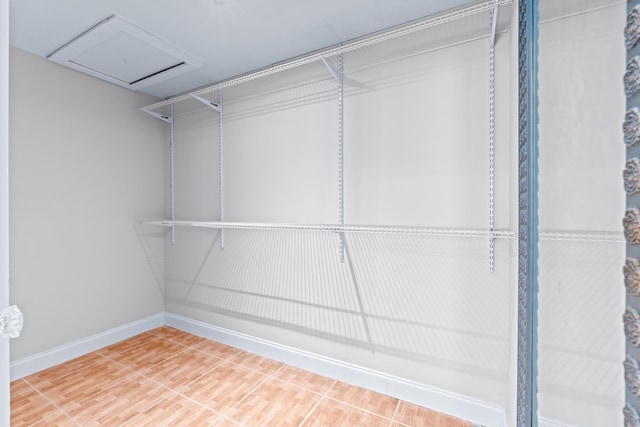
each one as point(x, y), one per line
point(226, 38)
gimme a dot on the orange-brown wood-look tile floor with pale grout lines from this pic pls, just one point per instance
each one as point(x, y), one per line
point(166, 377)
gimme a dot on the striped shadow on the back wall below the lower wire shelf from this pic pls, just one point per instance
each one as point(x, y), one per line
point(425, 298)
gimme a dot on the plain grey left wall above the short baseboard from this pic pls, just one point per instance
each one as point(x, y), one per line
point(84, 165)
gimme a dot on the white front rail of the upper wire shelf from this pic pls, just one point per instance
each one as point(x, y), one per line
point(479, 7)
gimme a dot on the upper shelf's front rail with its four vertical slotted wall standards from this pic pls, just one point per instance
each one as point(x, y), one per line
point(332, 58)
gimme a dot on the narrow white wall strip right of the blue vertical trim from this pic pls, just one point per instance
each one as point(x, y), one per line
point(581, 299)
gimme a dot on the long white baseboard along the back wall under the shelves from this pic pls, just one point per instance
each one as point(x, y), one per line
point(459, 406)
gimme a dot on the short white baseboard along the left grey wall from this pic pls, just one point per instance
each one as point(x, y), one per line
point(37, 362)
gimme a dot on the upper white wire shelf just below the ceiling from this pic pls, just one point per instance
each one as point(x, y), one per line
point(308, 76)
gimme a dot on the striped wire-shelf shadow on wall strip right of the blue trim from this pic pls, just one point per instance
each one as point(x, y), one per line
point(577, 314)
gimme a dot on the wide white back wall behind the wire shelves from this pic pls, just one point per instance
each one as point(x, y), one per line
point(416, 150)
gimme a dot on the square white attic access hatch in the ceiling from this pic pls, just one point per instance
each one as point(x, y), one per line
point(121, 53)
